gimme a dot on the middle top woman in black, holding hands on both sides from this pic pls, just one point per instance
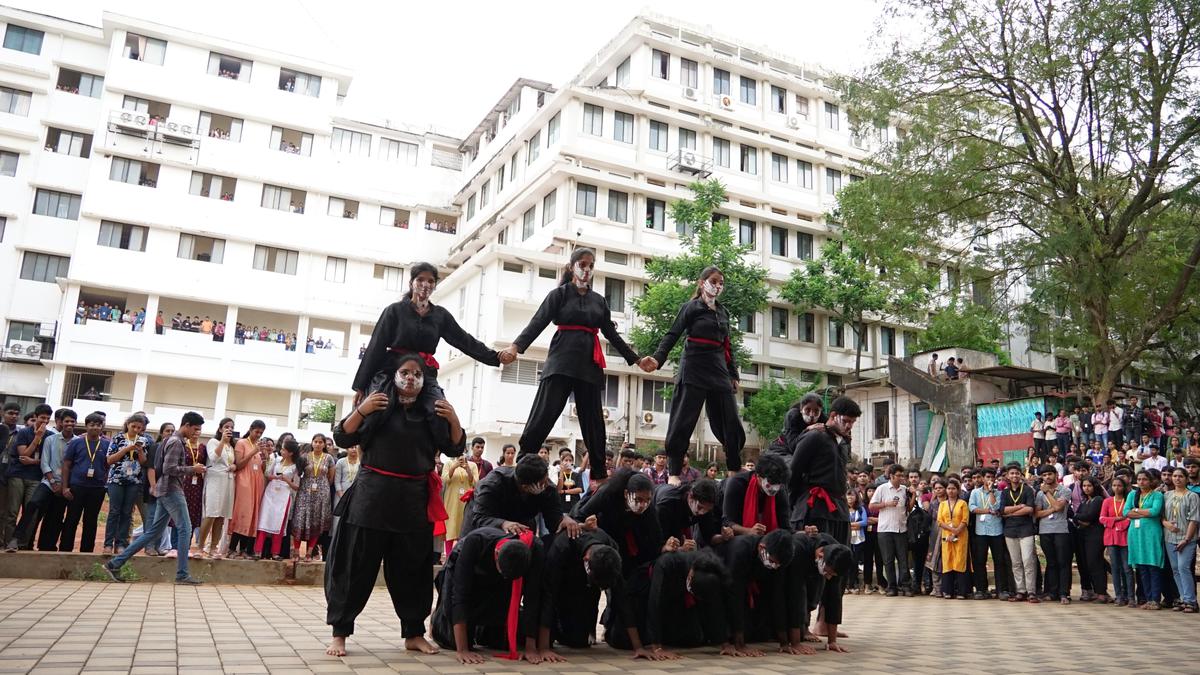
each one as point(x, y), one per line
point(575, 362)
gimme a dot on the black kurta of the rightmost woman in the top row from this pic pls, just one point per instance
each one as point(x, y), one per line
point(701, 365)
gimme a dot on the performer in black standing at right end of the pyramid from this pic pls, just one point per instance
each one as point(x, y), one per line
point(819, 497)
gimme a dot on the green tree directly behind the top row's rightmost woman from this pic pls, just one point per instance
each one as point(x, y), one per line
point(674, 279)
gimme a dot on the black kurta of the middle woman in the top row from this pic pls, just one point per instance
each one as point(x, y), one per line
point(572, 351)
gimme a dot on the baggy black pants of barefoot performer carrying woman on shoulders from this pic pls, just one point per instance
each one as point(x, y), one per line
point(353, 568)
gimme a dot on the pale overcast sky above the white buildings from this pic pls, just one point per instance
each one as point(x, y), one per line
point(445, 64)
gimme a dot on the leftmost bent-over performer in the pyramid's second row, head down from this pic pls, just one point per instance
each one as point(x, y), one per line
point(513, 500)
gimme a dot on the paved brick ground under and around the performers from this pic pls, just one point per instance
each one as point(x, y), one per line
point(92, 628)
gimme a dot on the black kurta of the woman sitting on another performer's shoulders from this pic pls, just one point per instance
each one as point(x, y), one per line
point(401, 327)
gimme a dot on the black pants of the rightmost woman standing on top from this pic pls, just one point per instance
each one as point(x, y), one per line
point(723, 419)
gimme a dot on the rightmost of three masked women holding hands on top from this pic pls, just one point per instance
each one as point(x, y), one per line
point(707, 375)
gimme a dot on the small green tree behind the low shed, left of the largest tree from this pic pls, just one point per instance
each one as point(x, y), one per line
point(853, 285)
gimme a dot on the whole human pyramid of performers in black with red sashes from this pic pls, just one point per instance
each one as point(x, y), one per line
point(682, 565)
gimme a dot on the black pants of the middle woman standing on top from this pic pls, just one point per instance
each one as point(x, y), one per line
point(553, 396)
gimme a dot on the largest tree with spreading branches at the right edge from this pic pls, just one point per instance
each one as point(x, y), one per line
point(1061, 141)
